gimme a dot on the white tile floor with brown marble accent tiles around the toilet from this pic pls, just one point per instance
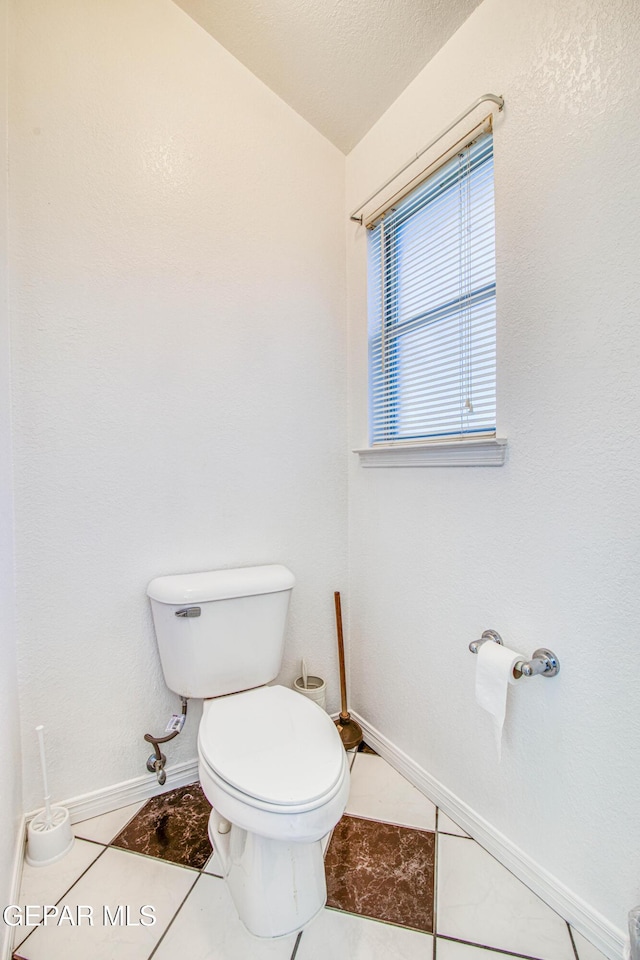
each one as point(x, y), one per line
point(404, 883)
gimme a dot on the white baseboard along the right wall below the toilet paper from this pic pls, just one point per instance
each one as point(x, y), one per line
point(587, 921)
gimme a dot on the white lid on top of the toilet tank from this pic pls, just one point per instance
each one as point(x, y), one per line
point(221, 584)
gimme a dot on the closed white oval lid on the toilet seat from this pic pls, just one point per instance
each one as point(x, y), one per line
point(273, 744)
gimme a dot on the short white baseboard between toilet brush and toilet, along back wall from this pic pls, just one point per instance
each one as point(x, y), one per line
point(129, 791)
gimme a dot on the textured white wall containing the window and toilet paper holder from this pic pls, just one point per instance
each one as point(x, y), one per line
point(545, 549)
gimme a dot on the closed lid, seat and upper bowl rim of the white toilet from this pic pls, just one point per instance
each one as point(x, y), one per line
point(272, 762)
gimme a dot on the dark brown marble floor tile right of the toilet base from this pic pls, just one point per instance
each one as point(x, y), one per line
point(382, 871)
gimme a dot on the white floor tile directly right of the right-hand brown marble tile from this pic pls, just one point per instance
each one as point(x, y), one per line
point(481, 901)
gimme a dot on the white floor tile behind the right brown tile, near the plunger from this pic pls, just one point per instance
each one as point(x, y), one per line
point(378, 792)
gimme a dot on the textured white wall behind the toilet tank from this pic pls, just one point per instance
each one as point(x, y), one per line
point(178, 257)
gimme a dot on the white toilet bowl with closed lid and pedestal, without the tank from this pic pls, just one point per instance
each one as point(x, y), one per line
point(271, 766)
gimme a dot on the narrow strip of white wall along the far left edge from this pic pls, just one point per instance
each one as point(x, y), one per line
point(10, 786)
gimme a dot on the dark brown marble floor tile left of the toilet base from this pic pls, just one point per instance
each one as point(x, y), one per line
point(172, 826)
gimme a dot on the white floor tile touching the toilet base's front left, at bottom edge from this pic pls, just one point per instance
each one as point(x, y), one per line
point(207, 928)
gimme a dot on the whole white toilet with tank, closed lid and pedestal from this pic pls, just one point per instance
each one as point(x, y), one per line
point(271, 762)
